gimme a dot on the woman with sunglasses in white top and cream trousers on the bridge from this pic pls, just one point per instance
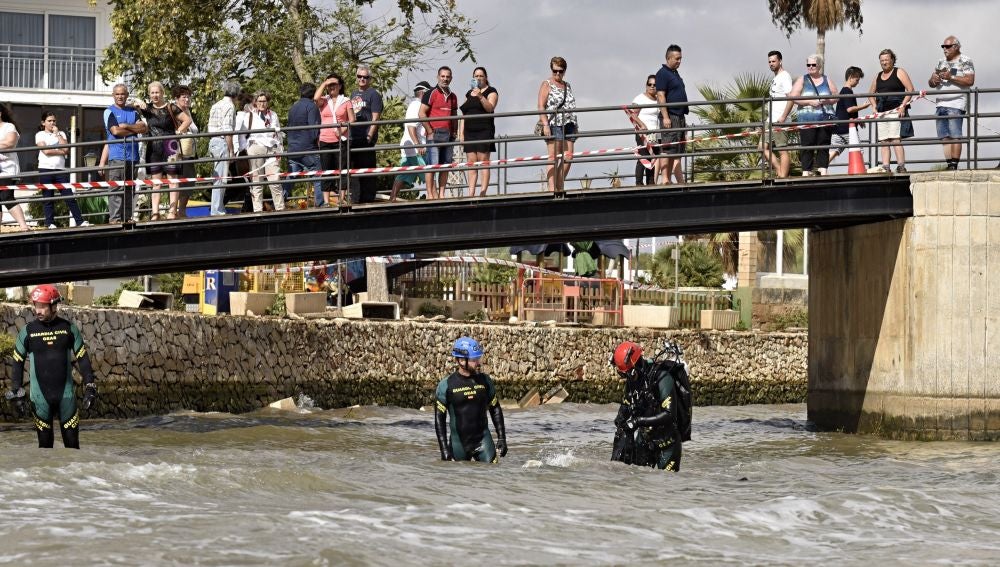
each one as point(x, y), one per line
point(263, 149)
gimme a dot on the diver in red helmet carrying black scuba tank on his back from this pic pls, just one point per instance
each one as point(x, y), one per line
point(654, 418)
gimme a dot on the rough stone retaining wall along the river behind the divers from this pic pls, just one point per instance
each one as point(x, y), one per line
point(156, 362)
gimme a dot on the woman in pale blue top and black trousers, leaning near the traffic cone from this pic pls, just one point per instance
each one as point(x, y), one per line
point(818, 109)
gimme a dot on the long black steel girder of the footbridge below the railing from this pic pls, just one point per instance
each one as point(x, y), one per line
point(368, 230)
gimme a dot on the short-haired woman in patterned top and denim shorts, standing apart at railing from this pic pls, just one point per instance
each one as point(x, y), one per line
point(556, 100)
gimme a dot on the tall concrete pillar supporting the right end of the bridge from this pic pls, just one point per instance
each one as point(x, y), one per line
point(904, 317)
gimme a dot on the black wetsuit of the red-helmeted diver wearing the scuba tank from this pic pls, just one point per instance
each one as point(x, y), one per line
point(649, 398)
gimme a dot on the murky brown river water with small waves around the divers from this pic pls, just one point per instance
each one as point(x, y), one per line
point(365, 487)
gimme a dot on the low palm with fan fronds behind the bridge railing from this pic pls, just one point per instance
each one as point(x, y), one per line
point(735, 158)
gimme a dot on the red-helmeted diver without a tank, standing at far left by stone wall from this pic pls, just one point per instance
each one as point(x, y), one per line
point(50, 345)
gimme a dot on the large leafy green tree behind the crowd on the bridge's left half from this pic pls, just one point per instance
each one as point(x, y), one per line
point(276, 44)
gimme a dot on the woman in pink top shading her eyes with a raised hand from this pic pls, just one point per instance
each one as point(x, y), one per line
point(336, 112)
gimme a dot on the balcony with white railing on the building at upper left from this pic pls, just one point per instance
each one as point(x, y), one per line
point(53, 68)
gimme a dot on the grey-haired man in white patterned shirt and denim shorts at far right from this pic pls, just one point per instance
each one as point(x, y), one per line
point(953, 73)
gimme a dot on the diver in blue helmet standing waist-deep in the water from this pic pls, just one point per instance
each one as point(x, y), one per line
point(463, 399)
